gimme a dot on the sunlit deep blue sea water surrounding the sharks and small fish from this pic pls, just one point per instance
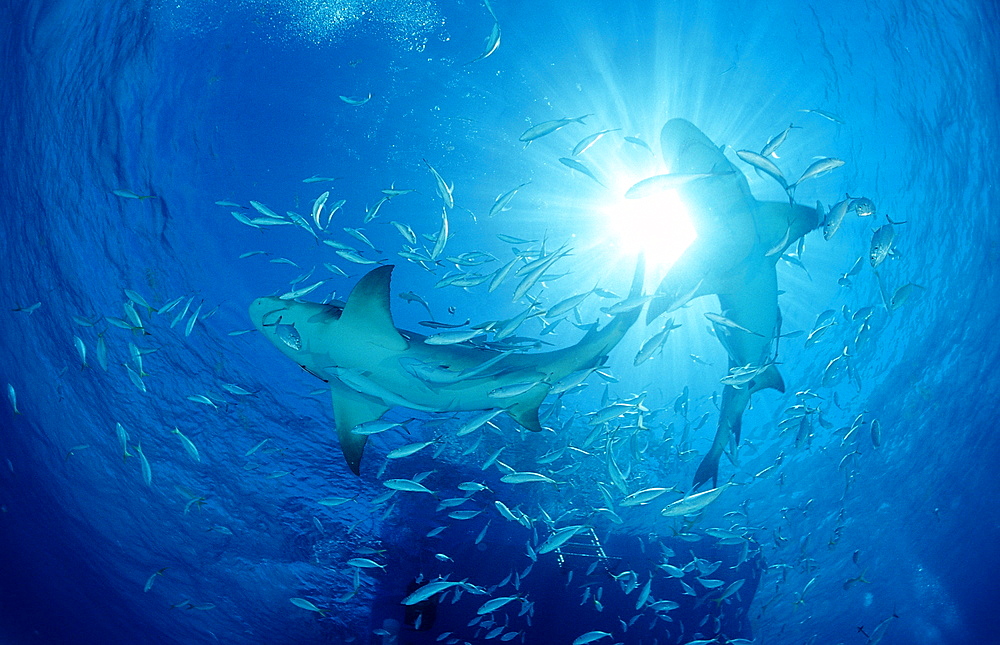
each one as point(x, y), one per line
point(198, 102)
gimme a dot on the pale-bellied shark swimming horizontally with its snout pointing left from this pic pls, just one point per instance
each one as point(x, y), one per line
point(372, 366)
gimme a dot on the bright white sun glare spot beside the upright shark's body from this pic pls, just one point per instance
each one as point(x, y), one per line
point(657, 225)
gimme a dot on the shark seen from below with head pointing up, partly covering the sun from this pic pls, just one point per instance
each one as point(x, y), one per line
point(739, 243)
